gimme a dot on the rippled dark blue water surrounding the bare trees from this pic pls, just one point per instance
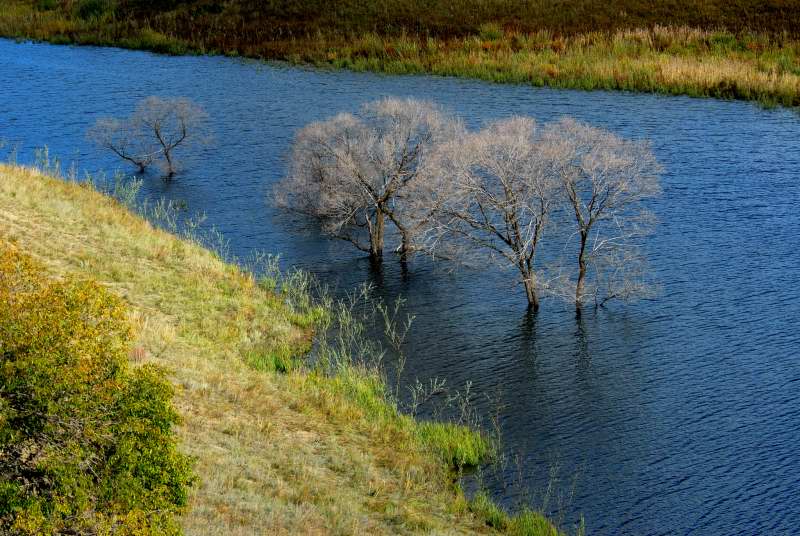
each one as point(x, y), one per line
point(678, 415)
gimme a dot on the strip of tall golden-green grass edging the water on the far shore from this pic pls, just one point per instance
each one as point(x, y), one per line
point(675, 60)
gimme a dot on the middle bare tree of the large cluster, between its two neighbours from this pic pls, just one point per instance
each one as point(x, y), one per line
point(503, 191)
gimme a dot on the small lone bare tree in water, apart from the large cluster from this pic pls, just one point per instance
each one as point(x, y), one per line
point(156, 129)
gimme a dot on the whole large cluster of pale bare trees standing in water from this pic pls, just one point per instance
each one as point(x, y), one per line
point(500, 194)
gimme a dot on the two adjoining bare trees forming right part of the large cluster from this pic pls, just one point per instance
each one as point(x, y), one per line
point(513, 181)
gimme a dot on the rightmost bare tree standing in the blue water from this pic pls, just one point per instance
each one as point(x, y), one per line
point(605, 180)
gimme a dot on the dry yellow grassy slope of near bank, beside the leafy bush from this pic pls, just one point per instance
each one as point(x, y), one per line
point(297, 452)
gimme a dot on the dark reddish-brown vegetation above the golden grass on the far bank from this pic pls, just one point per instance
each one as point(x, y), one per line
point(257, 20)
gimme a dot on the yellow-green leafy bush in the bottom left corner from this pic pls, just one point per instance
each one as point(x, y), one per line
point(86, 441)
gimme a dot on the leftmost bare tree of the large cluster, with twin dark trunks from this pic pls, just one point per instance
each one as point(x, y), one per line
point(353, 173)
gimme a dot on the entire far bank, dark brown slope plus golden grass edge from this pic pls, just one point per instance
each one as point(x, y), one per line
point(745, 49)
